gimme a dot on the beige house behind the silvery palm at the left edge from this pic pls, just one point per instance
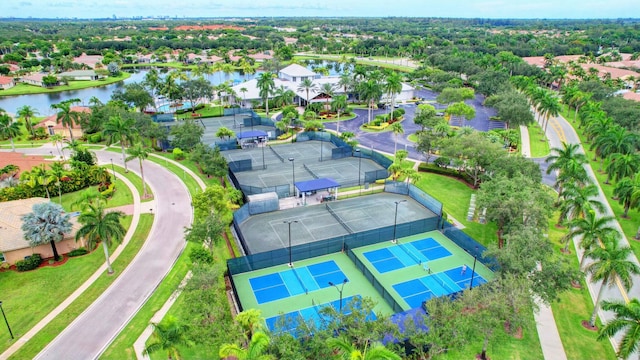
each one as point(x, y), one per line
point(14, 247)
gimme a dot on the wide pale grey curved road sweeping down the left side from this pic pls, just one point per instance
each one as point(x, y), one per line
point(89, 335)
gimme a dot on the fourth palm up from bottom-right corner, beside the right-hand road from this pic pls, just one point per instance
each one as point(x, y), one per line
point(577, 201)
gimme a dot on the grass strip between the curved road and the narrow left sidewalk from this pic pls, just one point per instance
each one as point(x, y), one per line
point(49, 332)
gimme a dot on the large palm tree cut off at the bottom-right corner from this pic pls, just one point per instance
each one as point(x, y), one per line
point(627, 320)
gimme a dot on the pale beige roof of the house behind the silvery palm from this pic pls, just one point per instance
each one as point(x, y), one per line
point(11, 212)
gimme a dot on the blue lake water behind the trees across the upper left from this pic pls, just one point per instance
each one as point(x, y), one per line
point(42, 102)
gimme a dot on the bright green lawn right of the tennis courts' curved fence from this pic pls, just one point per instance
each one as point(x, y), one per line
point(456, 195)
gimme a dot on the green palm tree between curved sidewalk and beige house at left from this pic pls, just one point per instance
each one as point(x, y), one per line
point(98, 226)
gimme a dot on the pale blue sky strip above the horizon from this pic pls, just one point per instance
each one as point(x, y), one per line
point(549, 9)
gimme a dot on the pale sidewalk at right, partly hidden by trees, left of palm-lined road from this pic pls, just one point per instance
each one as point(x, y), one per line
point(550, 341)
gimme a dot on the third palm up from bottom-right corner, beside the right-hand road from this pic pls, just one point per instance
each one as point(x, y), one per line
point(592, 229)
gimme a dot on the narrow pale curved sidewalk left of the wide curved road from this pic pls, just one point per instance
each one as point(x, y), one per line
point(135, 211)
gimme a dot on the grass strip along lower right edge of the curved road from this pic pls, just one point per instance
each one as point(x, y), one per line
point(122, 346)
